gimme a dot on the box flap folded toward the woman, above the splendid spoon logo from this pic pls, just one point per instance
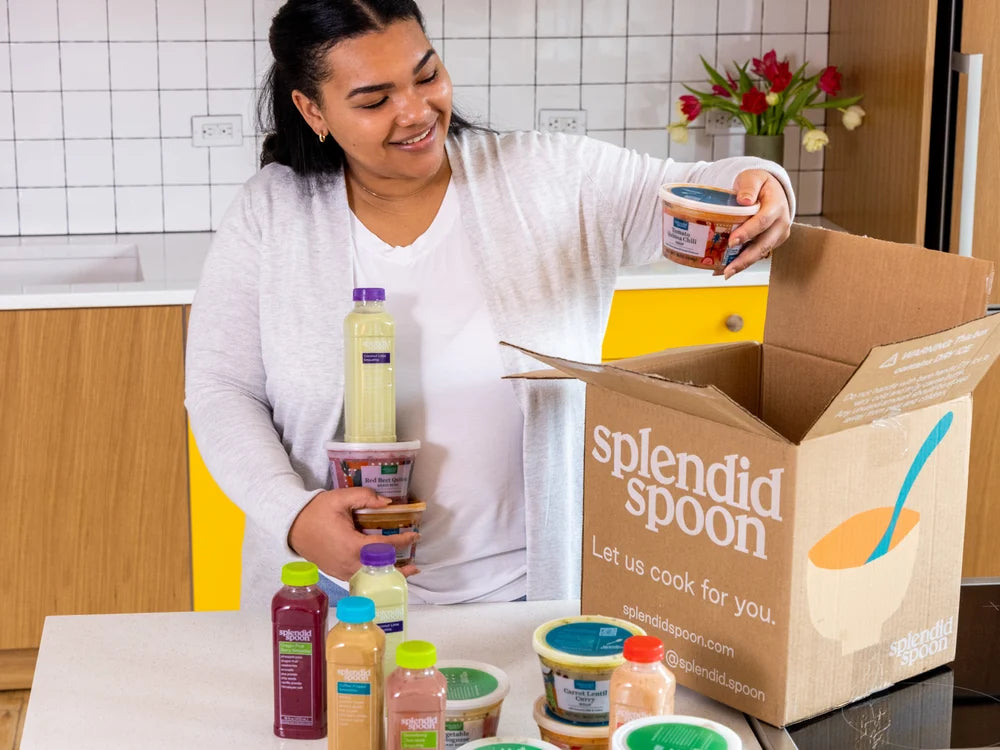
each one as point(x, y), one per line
point(704, 401)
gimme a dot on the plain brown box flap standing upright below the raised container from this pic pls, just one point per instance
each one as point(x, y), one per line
point(830, 293)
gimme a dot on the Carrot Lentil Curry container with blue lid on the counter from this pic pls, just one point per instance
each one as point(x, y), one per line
point(578, 655)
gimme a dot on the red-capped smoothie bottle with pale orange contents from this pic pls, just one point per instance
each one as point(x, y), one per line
point(642, 686)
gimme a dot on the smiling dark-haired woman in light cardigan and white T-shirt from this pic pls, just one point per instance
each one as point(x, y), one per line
point(370, 179)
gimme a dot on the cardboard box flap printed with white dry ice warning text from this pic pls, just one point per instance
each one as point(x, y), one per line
point(912, 374)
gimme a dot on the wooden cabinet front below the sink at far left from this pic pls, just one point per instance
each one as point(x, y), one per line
point(94, 464)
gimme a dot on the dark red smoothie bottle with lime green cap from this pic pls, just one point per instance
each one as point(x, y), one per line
point(298, 630)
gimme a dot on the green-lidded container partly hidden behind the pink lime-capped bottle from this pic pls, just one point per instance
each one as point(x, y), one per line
point(475, 695)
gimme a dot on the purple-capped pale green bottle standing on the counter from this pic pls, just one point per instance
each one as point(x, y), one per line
point(380, 581)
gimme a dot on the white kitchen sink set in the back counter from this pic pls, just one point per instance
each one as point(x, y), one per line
point(69, 264)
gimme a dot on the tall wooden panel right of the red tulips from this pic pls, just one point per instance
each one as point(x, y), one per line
point(875, 178)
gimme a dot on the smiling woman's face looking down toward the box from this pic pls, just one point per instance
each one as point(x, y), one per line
point(388, 103)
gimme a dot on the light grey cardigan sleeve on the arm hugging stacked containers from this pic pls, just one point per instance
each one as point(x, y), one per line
point(226, 398)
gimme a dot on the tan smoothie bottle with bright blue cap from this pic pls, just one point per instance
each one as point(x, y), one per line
point(354, 651)
